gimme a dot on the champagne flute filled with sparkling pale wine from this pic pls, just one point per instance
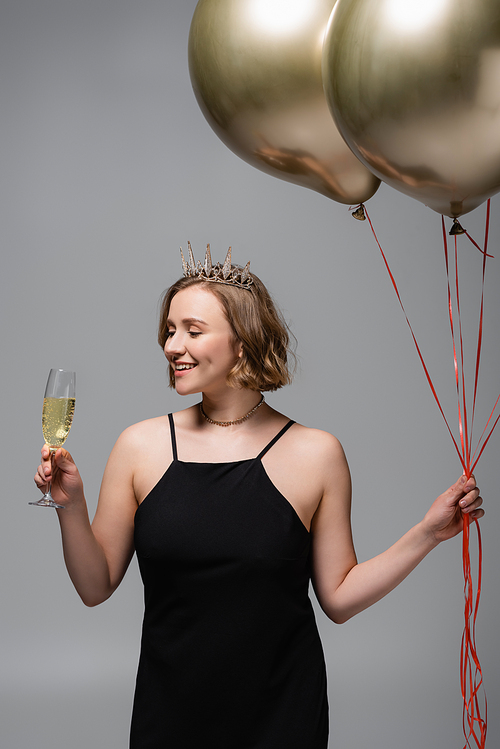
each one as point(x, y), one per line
point(57, 415)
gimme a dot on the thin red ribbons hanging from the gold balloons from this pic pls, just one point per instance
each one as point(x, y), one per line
point(471, 677)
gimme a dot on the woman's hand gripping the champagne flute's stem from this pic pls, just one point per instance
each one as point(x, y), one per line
point(61, 471)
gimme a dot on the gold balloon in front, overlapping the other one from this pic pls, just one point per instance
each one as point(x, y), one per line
point(414, 87)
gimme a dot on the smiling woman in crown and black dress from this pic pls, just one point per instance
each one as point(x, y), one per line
point(232, 508)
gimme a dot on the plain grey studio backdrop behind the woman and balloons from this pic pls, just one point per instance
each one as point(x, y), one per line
point(107, 167)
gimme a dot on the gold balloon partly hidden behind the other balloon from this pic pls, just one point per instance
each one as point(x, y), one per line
point(255, 68)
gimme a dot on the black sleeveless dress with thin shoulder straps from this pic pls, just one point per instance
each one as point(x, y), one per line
point(230, 653)
